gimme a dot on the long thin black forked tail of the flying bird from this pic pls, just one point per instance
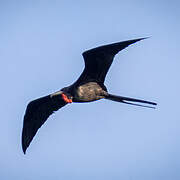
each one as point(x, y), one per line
point(128, 100)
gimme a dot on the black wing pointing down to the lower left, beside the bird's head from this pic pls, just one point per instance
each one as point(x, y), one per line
point(36, 114)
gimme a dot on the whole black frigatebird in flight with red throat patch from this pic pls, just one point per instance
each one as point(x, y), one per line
point(88, 87)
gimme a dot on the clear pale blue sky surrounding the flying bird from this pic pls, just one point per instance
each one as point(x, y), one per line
point(40, 52)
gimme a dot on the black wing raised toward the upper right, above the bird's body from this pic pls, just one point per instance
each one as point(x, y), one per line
point(99, 60)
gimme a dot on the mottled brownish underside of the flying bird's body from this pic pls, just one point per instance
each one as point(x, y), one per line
point(91, 91)
